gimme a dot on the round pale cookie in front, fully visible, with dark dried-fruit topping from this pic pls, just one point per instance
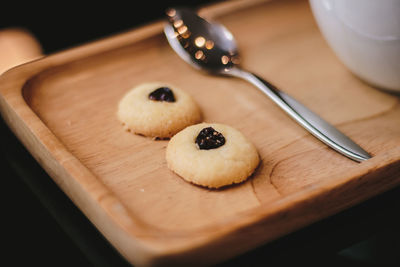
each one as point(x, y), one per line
point(211, 155)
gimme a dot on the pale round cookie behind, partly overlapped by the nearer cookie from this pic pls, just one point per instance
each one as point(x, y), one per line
point(157, 110)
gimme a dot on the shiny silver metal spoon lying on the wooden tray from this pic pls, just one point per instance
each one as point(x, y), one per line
point(211, 47)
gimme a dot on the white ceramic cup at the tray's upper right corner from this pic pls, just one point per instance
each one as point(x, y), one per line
point(365, 35)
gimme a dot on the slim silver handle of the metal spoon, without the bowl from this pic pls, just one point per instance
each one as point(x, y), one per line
point(321, 129)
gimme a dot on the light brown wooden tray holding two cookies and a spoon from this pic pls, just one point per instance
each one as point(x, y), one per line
point(63, 108)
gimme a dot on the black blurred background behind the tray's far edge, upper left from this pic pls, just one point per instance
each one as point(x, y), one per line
point(62, 24)
